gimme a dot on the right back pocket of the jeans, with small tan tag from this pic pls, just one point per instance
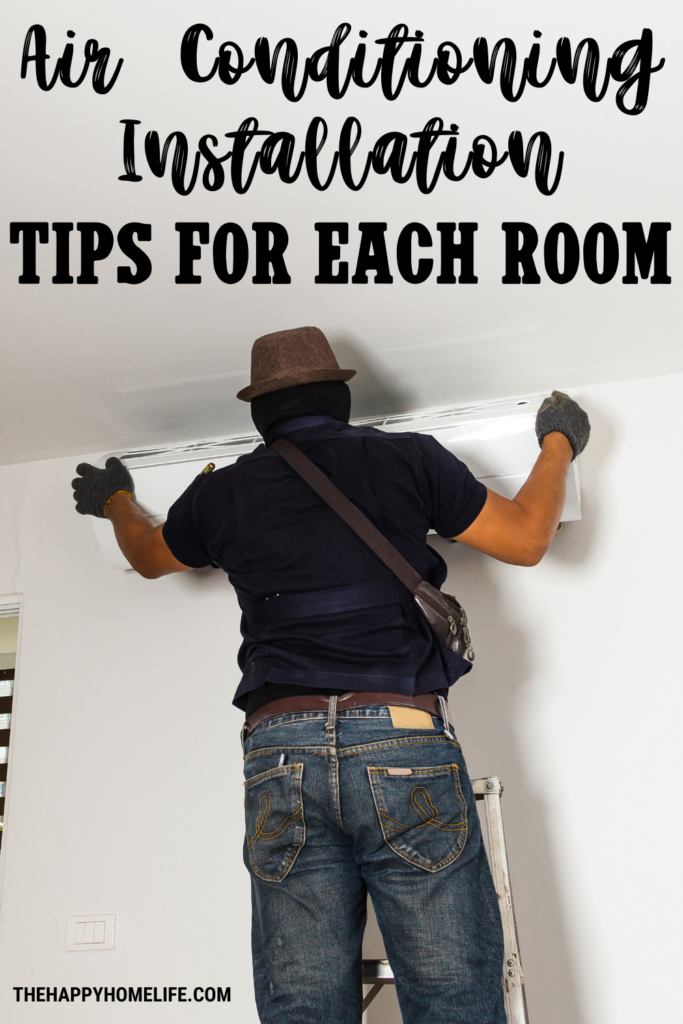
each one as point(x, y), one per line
point(422, 814)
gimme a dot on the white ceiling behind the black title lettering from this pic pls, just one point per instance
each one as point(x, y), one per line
point(108, 367)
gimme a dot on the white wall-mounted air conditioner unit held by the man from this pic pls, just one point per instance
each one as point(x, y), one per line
point(496, 440)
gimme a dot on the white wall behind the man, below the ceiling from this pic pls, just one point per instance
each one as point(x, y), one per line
point(125, 792)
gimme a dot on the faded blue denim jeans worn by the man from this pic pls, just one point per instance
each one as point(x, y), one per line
point(330, 819)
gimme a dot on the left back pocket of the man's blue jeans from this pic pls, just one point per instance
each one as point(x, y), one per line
point(276, 828)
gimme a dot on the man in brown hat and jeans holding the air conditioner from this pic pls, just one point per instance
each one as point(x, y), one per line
point(355, 783)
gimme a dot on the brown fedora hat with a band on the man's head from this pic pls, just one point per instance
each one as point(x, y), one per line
point(285, 359)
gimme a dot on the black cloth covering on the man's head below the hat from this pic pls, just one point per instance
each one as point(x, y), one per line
point(321, 399)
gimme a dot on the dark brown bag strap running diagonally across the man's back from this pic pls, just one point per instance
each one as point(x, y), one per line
point(350, 514)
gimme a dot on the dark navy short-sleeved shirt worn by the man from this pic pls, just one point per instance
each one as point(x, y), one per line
point(320, 609)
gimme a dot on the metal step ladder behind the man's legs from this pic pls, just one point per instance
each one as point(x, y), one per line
point(378, 972)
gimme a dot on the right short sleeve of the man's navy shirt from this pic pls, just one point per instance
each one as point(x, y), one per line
point(457, 496)
